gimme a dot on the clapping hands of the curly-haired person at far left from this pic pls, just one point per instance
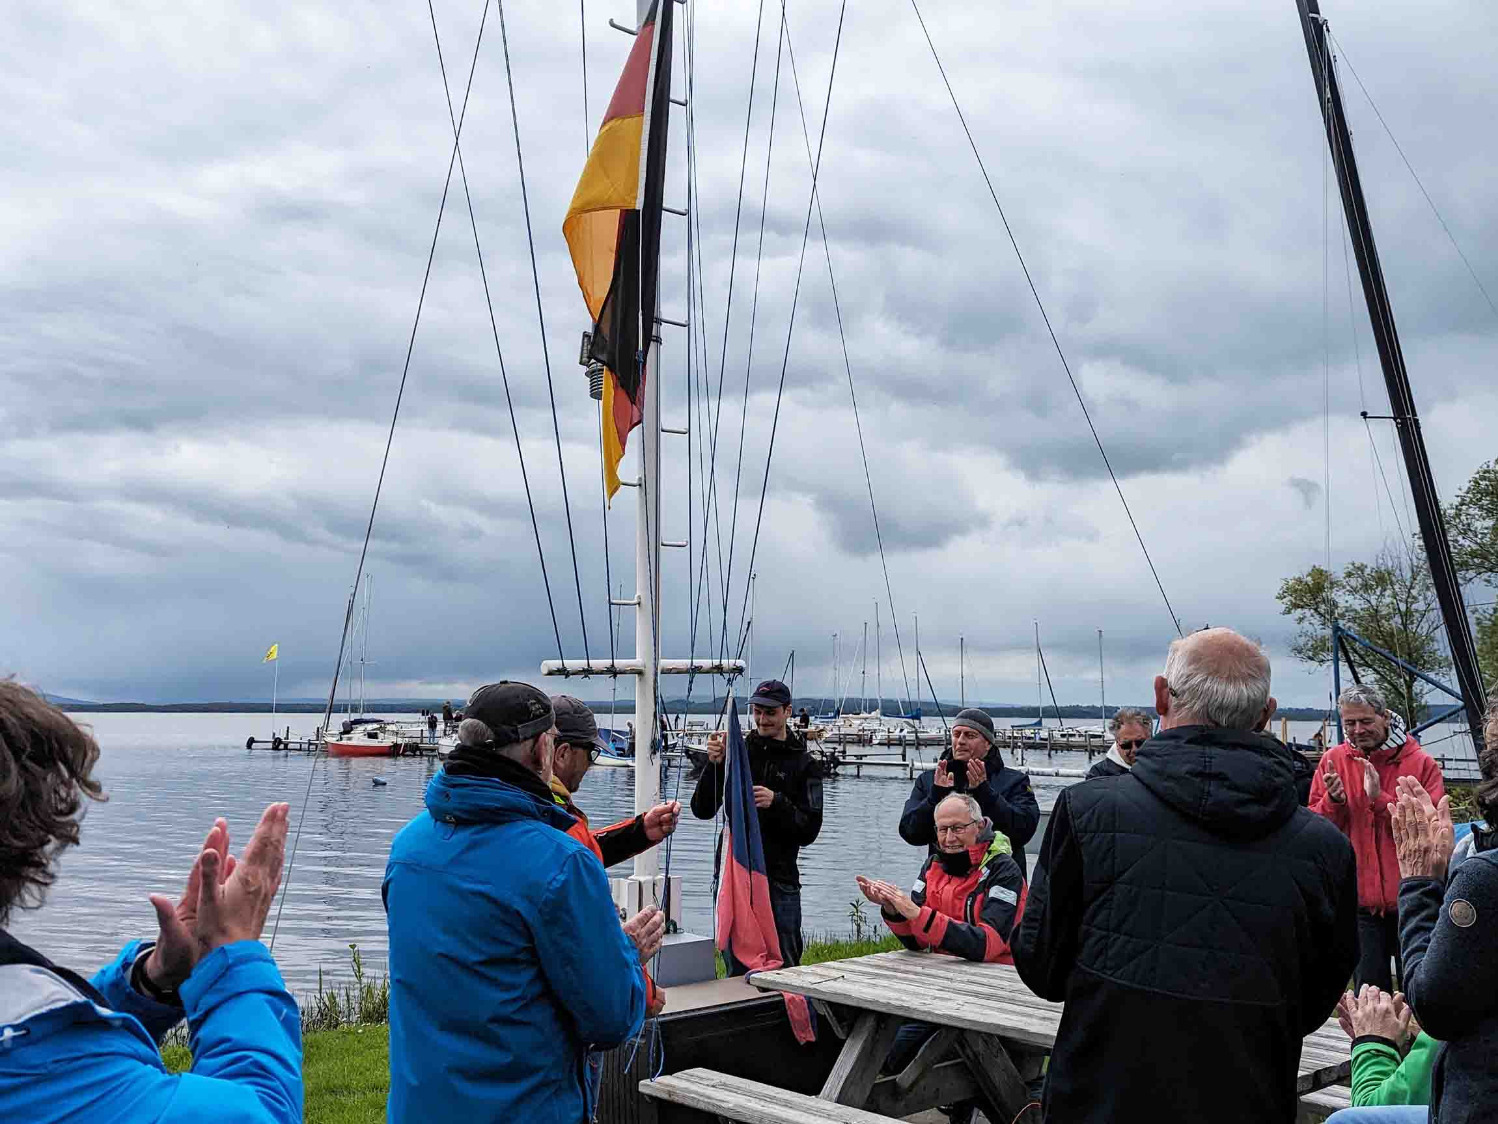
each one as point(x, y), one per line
point(227, 900)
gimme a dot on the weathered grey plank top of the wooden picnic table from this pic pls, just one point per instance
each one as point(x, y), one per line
point(991, 999)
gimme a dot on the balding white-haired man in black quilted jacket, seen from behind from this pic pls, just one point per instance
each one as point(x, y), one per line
point(1195, 919)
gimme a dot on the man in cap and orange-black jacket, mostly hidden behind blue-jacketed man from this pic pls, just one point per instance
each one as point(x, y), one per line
point(577, 749)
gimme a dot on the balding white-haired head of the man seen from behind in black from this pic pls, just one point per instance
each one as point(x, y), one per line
point(1216, 678)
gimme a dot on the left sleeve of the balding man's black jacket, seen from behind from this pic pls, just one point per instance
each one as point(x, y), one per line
point(1046, 943)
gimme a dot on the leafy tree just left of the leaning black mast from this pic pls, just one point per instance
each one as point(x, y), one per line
point(1389, 603)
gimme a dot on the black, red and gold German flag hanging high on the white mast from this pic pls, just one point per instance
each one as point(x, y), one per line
point(613, 230)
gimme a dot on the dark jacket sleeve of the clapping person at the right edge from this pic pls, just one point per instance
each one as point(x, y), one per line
point(1451, 972)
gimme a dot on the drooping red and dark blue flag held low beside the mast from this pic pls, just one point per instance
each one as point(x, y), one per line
point(745, 919)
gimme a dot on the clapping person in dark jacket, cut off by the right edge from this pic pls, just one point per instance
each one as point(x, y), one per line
point(1451, 958)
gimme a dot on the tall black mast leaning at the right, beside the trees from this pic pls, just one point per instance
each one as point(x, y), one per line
point(1397, 378)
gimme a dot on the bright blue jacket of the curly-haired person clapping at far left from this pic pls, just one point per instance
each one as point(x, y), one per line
point(68, 1057)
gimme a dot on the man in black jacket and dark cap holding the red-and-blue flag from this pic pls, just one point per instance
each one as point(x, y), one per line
point(789, 794)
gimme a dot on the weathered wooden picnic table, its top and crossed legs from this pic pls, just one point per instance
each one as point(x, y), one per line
point(994, 1036)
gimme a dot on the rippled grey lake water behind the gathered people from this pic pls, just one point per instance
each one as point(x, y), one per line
point(169, 776)
